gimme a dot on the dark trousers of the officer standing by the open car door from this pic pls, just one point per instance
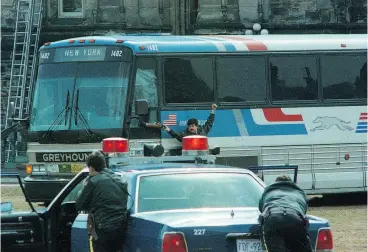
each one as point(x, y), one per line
point(109, 240)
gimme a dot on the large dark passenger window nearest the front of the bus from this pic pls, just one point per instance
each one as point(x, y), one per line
point(188, 80)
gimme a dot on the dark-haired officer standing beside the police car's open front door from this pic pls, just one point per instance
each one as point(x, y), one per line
point(104, 195)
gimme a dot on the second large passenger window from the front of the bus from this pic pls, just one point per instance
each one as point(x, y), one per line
point(241, 79)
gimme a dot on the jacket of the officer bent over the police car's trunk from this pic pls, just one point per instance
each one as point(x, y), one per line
point(285, 195)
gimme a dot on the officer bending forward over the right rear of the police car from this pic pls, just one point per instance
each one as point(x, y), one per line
point(284, 222)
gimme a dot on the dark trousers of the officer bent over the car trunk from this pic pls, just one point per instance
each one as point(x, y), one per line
point(285, 231)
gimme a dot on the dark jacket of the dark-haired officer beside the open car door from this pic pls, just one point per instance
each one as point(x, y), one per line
point(104, 197)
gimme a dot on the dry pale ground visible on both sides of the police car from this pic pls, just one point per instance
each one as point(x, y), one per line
point(347, 215)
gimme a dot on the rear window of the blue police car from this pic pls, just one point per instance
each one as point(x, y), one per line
point(197, 190)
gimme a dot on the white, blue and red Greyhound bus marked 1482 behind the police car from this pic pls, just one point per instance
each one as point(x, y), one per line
point(282, 100)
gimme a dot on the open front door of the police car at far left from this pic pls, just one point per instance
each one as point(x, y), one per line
point(20, 231)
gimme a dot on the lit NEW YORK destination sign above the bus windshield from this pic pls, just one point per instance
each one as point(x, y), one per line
point(90, 53)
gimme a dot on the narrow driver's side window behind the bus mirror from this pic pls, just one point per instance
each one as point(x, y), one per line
point(146, 87)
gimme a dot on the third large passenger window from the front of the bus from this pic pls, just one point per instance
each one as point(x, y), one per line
point(293, 77)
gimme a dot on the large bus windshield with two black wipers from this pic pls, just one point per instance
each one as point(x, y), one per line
point(100, 87)
